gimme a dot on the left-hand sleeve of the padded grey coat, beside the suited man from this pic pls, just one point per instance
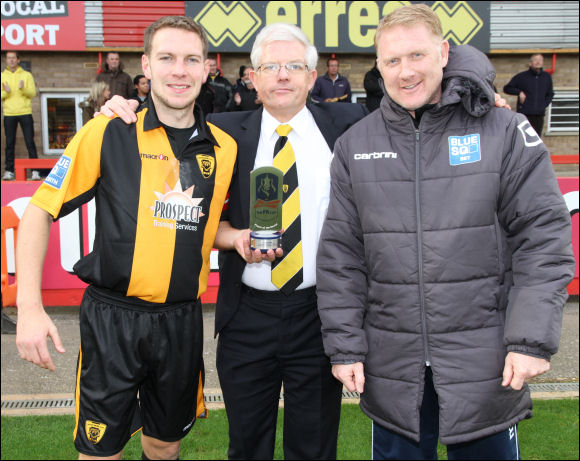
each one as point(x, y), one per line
point(341, 270)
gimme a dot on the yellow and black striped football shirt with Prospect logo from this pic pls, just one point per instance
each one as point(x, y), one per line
point(157, 213)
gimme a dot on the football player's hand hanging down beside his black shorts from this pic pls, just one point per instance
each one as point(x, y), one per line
point(32, 329)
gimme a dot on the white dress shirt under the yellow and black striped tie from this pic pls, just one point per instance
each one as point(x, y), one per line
point(313, 158)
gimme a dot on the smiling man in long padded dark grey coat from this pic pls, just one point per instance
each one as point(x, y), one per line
point(445, 255)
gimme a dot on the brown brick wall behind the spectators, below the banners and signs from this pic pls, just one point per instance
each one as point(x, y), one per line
point(78, 70)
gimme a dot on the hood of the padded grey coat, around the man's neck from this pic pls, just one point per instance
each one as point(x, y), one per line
point(467, 78)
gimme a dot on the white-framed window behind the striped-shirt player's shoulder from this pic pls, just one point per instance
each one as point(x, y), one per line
point(61, 119)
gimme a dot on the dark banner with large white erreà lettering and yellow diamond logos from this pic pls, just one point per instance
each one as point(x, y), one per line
point(345, 27)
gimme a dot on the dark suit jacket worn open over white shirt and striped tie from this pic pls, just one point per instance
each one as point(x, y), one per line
point(244, 127)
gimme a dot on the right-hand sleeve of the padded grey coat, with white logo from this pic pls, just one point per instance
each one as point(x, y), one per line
point(537, 225)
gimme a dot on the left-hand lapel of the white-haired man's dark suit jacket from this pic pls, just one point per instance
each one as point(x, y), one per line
point(247, 150)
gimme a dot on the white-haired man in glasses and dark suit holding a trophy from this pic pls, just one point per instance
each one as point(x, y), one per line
point(270, 336)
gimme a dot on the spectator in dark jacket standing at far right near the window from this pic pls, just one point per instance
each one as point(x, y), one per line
point(533, 88)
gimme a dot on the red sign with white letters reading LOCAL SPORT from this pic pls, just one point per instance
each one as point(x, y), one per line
point(44, 26)
